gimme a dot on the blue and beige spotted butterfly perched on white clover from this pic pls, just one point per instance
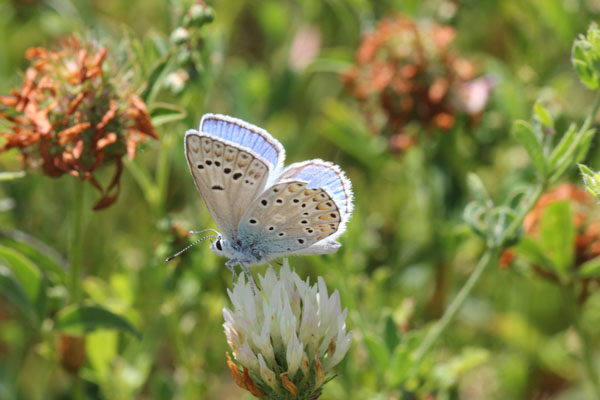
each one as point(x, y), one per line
point(262, 210)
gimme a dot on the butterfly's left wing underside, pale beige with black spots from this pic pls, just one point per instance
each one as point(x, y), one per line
point(227, 177)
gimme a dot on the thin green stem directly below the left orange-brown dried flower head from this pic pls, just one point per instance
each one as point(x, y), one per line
point(75, 250)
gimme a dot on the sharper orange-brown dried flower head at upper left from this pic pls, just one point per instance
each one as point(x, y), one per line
point(75, 112)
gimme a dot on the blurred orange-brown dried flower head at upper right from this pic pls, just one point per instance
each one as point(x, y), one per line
point(405, 71)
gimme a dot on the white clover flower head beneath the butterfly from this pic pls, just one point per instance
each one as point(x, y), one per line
point(287, 338)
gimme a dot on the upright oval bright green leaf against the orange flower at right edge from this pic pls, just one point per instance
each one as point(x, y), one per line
point(558, 235)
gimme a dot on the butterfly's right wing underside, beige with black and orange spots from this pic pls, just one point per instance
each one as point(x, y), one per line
point(289, 217)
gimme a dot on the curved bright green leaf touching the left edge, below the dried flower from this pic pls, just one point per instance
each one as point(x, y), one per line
point(29, 276)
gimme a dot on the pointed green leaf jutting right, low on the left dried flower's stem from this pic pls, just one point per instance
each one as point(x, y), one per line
point(78, 320)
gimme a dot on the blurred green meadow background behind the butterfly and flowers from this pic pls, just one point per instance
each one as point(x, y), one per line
point(406, 251)
